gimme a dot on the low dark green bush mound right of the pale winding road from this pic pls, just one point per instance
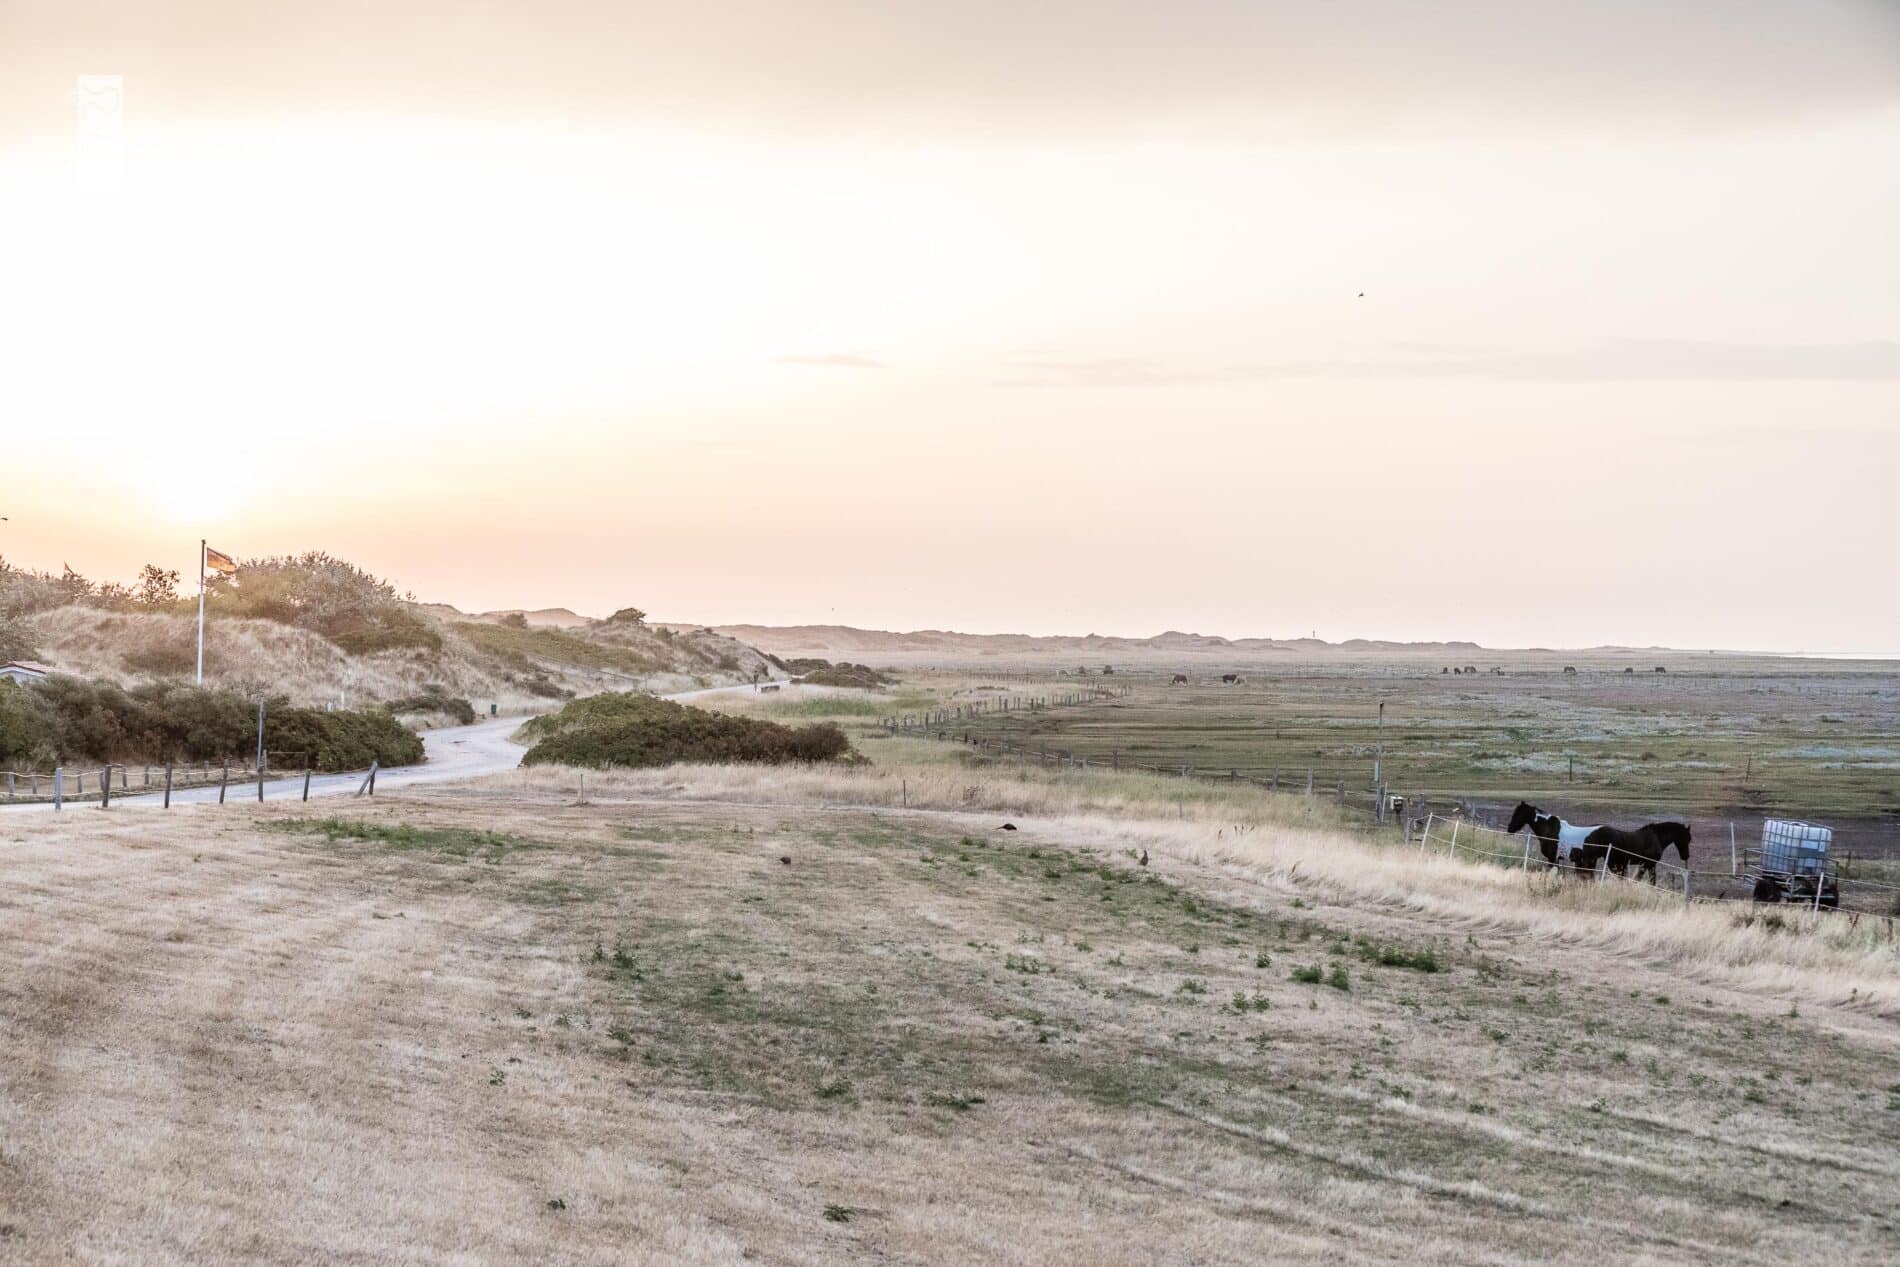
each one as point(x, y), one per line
point(639, 730)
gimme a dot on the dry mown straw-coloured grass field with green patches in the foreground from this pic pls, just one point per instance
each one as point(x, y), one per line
point(736, 1015)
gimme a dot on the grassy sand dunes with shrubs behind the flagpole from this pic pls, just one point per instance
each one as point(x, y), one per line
point(320, 630)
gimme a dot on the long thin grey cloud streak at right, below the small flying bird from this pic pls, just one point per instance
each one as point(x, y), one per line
point(1610, 360)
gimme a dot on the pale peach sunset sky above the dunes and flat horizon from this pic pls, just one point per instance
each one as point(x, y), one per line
point(1529, 322)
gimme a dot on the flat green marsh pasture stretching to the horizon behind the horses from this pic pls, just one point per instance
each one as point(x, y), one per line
point(1705, 742)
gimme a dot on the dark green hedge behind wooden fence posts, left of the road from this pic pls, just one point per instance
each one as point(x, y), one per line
point(66, 721)
